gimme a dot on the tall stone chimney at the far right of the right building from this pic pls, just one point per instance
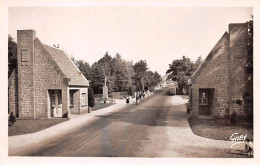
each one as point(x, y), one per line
point(238, 53)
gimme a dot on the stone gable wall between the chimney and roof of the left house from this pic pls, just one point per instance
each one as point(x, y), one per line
point(47, 76)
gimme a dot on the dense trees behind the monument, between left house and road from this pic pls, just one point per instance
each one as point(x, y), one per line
point(121, 75)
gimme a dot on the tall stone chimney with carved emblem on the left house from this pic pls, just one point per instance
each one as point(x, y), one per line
point(25, 61)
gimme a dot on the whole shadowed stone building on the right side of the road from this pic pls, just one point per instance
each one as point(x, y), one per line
point(217, 86)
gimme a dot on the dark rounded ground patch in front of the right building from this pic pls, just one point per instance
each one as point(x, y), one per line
point(220, 129)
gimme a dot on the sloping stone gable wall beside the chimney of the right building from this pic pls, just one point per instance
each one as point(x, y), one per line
point(213, 73)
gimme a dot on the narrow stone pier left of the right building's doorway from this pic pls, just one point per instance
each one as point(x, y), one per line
point(195, 100)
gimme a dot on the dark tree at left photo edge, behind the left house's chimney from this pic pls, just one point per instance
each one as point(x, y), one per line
point(12, 55)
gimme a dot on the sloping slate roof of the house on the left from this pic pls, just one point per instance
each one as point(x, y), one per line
point(67, 66)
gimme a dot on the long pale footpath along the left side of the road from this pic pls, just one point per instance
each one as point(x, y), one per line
point(22, 143)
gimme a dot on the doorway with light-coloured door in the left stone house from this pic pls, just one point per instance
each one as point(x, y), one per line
point(55, 103)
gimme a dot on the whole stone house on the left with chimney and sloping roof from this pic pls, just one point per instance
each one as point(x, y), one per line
point(46, 82)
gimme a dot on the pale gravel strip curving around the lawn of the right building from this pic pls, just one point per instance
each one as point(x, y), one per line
point(187, 144)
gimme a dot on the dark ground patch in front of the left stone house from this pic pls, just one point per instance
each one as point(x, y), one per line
point(21, 127)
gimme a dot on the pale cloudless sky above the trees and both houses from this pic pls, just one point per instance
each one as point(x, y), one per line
point(158, 35)
